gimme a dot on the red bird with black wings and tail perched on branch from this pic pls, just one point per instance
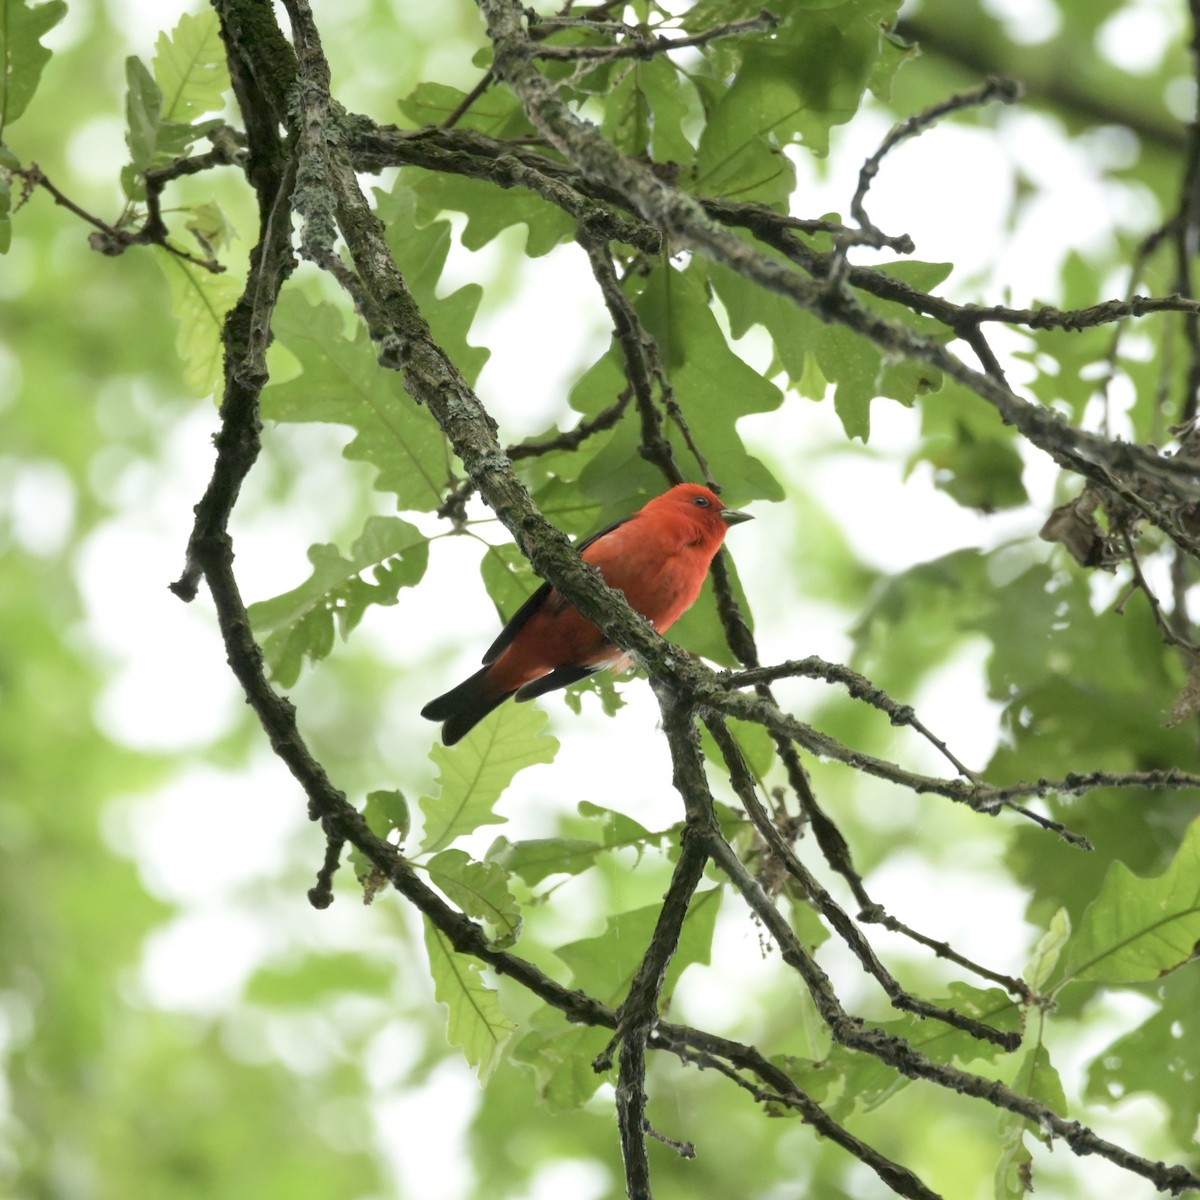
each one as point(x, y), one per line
point(659, 557)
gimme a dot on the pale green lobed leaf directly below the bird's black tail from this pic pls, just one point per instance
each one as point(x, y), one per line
point(476, 772)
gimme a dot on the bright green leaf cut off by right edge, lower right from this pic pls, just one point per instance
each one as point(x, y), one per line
point(1141, 929)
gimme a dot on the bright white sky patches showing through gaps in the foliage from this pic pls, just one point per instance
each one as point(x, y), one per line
point(951, 190)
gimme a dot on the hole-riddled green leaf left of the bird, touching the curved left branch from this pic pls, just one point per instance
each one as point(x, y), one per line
point(299, 623)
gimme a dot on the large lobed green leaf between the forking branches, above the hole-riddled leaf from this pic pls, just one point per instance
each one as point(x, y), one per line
point(343, 383)
